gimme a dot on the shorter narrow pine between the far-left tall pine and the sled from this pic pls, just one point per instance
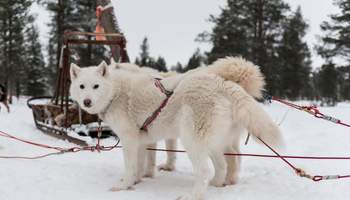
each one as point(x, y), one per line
point(35, 66)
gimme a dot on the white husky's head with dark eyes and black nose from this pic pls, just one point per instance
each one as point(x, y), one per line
point(92, 87)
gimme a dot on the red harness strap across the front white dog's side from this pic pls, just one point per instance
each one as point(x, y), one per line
point(156, 113)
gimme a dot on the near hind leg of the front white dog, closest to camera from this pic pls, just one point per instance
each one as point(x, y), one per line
point(198, 154)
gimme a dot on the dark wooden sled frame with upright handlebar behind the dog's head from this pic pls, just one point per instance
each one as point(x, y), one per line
point(61, 95)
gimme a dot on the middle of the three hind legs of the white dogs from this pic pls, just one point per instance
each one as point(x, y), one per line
point(220, 166)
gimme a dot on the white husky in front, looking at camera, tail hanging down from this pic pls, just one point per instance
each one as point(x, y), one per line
point(207, 112)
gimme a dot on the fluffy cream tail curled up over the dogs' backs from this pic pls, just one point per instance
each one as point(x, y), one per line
point(240, 71)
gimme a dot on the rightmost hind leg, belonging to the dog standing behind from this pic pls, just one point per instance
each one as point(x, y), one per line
point(233, 165)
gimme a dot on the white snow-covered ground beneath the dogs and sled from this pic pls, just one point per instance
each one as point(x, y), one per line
point(88, 175)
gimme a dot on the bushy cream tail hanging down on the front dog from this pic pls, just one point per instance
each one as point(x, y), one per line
point(247, 113)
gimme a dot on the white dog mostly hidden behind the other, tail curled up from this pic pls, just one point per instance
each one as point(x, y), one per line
point(237, 70)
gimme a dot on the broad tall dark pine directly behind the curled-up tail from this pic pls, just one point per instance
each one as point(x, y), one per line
point(251, 29)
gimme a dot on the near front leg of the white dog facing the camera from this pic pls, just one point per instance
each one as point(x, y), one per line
point(130, 152)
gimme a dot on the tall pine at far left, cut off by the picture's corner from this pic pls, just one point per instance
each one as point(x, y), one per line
point(14, 15)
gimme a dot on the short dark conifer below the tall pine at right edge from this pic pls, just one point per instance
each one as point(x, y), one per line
point(328, 85)
